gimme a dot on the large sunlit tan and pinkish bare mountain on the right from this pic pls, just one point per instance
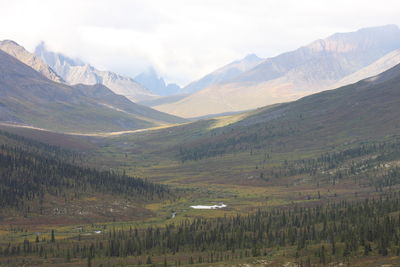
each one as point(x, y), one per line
point(289, 76)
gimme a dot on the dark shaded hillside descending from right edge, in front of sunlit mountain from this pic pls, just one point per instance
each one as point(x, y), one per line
point(364, 111)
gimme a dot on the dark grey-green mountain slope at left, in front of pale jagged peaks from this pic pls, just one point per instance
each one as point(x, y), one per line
point(27, 97)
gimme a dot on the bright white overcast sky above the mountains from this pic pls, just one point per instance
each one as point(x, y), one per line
point(183, 39)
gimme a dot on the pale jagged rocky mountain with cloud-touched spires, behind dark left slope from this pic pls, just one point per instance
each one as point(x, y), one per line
point(76, 72)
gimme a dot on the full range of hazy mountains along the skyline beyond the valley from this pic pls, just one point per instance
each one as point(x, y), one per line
point(70, 91)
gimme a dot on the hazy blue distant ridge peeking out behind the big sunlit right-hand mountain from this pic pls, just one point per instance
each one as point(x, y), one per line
point(224, 74)
